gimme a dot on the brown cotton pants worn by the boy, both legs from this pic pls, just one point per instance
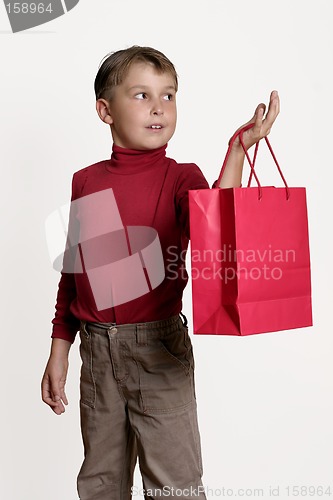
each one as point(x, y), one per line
point(138, 400)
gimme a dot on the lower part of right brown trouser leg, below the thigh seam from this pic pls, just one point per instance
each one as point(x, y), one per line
point(169, 455)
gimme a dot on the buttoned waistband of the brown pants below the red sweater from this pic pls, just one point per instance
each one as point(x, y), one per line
point(151, 328)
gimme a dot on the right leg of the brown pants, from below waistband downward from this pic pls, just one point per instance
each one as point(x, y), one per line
point(166, 422)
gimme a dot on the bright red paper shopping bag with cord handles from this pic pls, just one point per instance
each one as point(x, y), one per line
point(250, 261)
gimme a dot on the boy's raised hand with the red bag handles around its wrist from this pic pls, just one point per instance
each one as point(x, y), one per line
point(262, 125)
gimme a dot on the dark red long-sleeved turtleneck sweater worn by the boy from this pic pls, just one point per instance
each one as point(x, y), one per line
point(150, 190)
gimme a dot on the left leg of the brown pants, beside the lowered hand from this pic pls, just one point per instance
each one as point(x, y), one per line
point(108, 438)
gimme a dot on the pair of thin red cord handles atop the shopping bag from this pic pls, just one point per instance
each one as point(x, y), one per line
point(252, 163)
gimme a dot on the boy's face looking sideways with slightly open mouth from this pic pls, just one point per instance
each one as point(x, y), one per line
point(143, 108)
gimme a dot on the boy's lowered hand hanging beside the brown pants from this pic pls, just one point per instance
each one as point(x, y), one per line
point(53, 383)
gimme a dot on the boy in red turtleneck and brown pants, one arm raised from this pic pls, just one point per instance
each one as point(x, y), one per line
point(137, 395)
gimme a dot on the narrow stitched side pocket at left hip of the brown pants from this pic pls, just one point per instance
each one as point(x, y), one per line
point(87, 381)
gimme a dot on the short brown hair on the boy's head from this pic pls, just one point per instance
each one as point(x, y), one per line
point(114, 67)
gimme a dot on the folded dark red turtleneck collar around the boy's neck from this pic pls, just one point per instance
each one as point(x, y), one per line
point(131, 161)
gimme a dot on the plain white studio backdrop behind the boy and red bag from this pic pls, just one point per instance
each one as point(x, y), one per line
point(265, 401)
